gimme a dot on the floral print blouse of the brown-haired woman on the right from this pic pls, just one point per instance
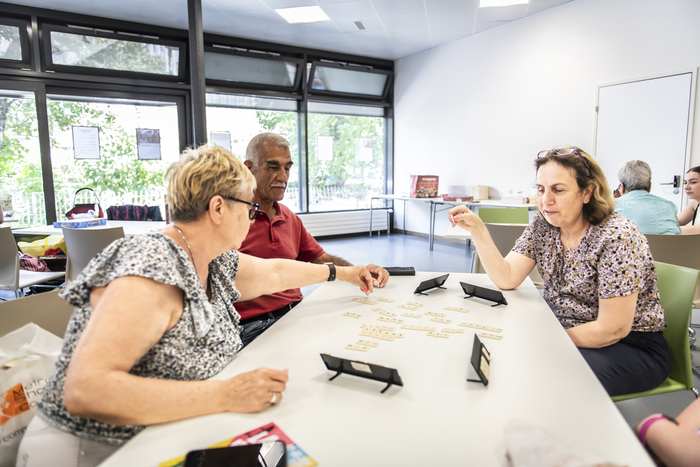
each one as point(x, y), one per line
point(613, 260)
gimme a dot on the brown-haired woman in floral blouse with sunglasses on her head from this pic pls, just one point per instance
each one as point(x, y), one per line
point(598, 273)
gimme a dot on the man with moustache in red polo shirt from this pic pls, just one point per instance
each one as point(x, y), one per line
point(278, 233)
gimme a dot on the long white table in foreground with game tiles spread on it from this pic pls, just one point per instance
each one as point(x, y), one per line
point(437, 417)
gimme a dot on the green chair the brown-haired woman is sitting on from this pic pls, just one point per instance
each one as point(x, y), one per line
point(676, 286)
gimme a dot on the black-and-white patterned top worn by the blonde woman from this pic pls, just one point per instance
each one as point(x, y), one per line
point(199, 346)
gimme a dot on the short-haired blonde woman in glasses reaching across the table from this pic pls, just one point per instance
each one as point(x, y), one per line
point(154, 320)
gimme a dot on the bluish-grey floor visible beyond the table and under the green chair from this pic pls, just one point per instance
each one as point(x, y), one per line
point(407, 250)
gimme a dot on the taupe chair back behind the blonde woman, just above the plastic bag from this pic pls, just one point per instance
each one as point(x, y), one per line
point(46, 310)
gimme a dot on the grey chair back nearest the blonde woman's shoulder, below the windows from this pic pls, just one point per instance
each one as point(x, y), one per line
point(85, 244)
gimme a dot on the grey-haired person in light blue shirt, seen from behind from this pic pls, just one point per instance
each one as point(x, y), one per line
point(650, 213)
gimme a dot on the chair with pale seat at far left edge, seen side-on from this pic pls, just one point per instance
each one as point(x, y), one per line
point(11, 276)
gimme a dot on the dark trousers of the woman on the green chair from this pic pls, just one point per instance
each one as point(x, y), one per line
point(639, 362)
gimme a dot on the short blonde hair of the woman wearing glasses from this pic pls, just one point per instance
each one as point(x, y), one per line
point(201, 174)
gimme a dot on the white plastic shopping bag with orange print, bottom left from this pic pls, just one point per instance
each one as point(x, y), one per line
point(27, 359)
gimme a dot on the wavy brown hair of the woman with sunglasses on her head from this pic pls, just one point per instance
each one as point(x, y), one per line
point(587, 172)
